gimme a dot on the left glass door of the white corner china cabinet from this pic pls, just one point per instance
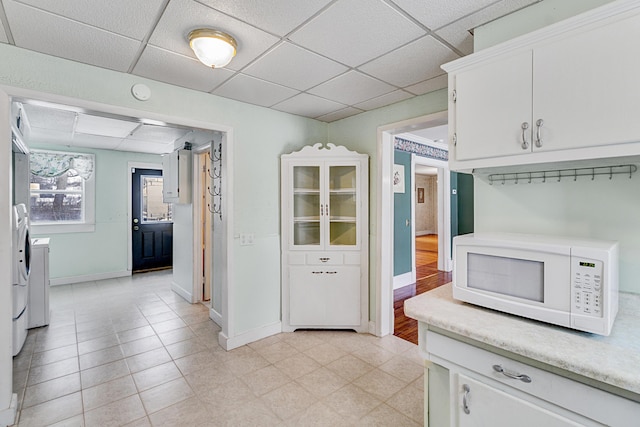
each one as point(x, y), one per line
point(306, 206)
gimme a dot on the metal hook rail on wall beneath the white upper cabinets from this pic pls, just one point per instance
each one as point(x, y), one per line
point(541, 176)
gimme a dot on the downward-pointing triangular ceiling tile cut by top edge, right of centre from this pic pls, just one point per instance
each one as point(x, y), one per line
point(438, 13)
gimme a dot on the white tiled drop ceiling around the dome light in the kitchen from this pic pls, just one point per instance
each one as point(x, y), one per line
point(323, 59)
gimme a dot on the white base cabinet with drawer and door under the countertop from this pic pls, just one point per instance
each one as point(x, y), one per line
point(489, 389)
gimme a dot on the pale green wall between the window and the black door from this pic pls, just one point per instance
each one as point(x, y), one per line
point(105, 249)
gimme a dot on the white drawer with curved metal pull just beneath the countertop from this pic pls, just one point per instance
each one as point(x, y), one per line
point(591, 402)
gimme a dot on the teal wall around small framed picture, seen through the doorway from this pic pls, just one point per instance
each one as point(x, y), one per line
point(402, 235)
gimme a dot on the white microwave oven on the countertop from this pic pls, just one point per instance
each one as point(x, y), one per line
point(563, 281)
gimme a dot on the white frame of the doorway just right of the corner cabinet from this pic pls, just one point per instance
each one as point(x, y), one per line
point(384, 319)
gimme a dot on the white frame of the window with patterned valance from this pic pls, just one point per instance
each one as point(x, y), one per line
point(88, 201)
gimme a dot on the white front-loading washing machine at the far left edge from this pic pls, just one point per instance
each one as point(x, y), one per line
point(21, 249)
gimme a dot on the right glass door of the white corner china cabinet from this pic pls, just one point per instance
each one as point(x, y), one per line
point(343, 205)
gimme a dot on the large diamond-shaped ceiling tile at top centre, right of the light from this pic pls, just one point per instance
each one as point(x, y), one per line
point(356, 31)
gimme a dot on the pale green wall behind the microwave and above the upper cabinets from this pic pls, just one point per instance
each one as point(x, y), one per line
point(601, 209)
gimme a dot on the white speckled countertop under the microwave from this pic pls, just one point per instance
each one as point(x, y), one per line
point(613, 360)
